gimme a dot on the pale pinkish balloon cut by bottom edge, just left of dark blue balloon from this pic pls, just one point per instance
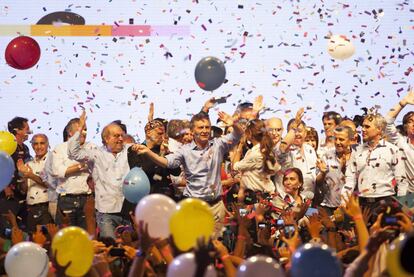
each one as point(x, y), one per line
point(260, 266)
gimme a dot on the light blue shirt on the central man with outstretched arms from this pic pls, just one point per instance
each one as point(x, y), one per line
point(202, 167)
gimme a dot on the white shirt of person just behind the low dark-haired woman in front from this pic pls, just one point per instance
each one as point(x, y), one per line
point(306, 163)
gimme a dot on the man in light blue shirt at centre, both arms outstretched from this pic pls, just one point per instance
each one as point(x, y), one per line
point(202, 161)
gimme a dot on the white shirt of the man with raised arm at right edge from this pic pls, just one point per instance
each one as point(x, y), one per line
point(407, 150)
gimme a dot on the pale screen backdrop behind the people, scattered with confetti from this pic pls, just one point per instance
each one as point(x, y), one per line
point(274, 48)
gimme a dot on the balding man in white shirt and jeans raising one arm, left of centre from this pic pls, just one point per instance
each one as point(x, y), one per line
point(110, 166)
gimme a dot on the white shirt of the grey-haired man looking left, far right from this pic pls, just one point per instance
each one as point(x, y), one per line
point(373, 171)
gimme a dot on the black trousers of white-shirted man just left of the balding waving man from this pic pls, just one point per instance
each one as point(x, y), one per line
point(71, 205)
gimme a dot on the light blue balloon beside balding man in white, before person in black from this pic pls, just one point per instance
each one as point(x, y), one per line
point(136, 185)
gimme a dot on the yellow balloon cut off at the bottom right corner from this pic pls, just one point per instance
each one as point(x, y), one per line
point(400, 256)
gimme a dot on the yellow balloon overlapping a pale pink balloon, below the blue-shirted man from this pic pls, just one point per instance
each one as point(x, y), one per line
point(192, 219)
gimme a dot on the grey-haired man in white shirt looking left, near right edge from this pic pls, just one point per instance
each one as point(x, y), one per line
point(374, 165)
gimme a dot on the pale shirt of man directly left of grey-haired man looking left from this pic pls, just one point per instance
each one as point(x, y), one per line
point(334, 180)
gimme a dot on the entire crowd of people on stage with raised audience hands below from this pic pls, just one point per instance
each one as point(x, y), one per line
point(272, 193)
